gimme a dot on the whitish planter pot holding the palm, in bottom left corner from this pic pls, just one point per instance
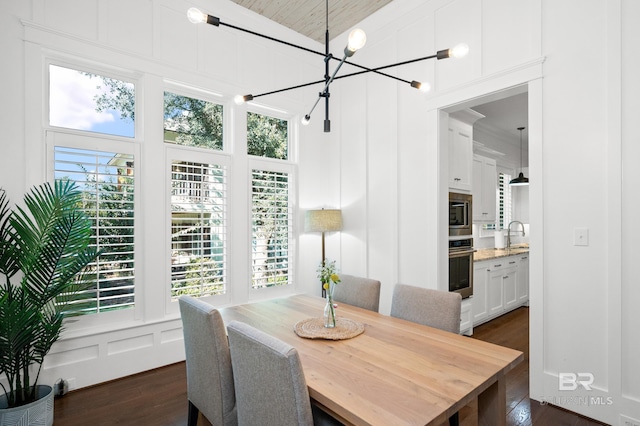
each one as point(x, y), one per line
point(37, 413)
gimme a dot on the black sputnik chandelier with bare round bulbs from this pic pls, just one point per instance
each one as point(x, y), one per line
point(356, 41)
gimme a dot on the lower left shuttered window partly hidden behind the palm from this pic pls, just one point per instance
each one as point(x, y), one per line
point(107, 182)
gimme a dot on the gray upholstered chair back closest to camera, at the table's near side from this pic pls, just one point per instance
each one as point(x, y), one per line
point(269, 381)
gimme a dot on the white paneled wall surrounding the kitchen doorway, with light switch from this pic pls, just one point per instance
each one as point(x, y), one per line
point(579, 322)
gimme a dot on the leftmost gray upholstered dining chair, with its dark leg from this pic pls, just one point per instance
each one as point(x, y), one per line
point(209, 374)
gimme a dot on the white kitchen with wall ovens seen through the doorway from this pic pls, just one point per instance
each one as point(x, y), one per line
point(489, 217)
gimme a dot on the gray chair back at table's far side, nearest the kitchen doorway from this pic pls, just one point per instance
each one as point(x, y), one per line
point(434, 308)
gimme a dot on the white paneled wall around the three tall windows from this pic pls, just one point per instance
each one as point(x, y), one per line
point(153, 42)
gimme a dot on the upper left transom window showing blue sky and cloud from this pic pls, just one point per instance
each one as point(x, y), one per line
point(84, 101)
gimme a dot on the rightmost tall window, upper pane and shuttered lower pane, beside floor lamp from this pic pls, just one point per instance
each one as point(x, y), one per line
point(271, 201)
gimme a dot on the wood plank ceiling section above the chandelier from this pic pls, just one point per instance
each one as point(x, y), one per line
point(308, 17)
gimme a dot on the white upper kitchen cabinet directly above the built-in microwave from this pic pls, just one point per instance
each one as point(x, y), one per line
point(460, 142)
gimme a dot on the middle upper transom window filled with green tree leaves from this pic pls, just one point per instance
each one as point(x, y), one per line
point(192, 122)
